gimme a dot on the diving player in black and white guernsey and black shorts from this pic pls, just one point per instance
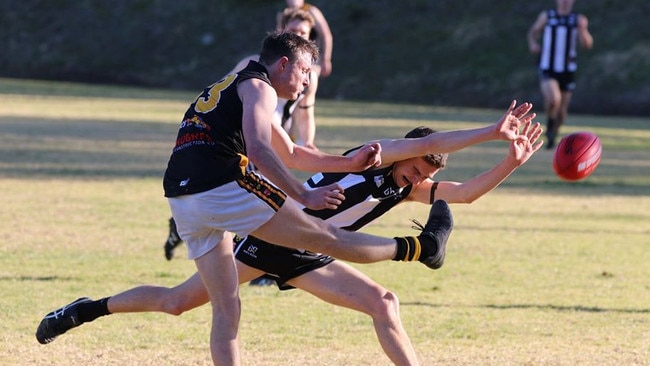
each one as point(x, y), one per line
point(403, 177)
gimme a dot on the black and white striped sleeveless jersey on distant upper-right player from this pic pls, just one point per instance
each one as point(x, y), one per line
point(559, 43)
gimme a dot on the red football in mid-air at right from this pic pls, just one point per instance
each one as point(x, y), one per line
point(577, 156)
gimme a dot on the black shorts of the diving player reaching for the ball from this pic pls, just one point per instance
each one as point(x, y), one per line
point(280, 263)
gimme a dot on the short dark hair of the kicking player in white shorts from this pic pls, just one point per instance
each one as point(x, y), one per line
point(279, 44)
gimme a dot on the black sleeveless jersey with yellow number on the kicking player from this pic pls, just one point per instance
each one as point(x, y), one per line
point(210, 149)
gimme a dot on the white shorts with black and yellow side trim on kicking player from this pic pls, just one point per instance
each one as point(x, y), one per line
point(239, 207)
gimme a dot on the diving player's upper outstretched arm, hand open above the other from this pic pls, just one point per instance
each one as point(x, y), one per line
point(506, 128)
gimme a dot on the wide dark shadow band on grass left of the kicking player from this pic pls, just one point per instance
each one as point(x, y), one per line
point(61, 148)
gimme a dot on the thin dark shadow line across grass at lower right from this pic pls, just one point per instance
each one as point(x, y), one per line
point(559, 308)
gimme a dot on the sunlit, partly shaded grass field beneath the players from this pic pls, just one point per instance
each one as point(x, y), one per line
point(538, 272)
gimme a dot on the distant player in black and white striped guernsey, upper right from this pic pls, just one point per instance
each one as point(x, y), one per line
point(561, 30)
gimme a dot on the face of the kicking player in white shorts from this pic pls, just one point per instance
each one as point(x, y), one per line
point(293, 77)
